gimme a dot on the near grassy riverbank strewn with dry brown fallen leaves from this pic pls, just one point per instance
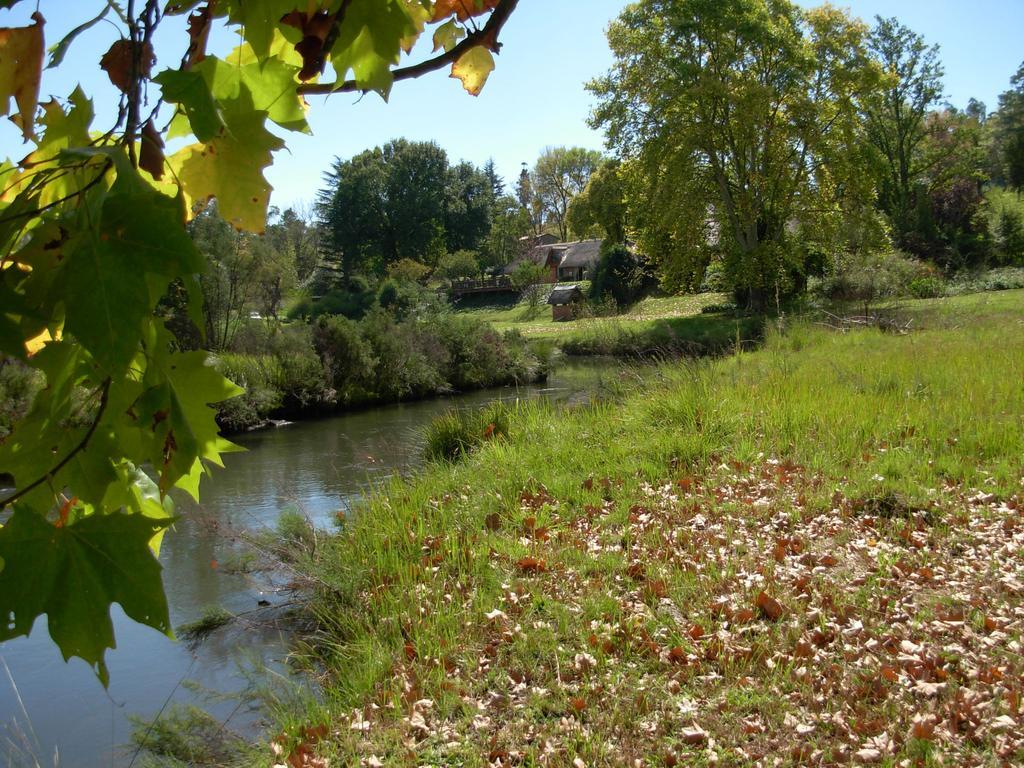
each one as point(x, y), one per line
point(810, 553)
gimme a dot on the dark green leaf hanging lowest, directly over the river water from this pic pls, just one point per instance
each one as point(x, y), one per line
point(74, 575)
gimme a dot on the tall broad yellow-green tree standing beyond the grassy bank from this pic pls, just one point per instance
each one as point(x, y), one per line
point(740, 123)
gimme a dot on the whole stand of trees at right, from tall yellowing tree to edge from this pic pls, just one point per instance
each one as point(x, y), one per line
point(773, 146)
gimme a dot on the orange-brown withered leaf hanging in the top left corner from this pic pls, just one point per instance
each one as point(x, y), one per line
point(21, 70)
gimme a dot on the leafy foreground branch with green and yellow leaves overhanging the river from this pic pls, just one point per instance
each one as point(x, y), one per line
point(93, 236)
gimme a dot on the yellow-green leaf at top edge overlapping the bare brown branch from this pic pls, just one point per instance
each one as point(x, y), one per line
point(370, 42)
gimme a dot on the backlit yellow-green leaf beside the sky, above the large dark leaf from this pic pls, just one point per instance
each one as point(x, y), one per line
point(231, 166)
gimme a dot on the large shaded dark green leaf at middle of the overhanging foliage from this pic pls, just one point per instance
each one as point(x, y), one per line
point(107, 290)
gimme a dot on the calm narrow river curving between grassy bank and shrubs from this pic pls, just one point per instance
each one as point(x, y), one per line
point(58, 714)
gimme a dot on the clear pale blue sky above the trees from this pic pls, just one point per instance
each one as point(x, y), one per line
point(536, 98)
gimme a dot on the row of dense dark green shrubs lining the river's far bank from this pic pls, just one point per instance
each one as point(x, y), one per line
point(336, 364)
